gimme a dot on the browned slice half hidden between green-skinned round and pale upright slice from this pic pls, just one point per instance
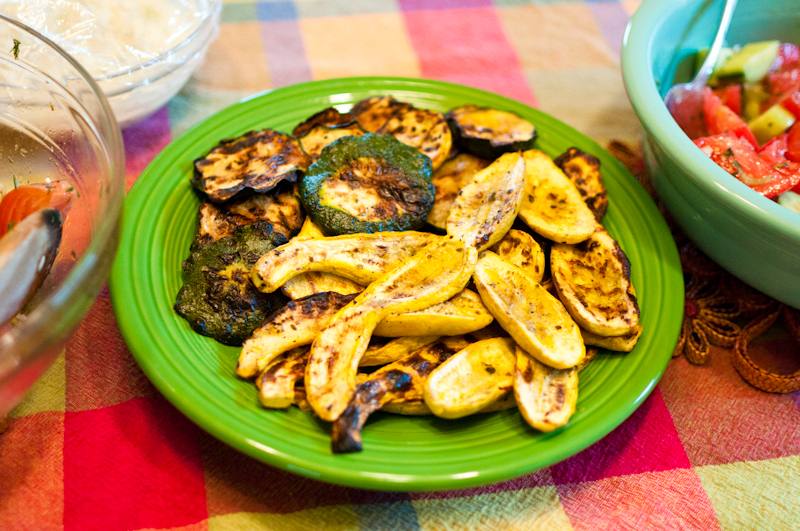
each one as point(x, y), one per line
point(448, 181)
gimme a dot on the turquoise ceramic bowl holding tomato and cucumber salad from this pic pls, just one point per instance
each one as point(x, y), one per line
point(751, 236)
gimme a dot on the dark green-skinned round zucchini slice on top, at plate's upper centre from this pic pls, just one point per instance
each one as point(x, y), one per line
point(371, 183)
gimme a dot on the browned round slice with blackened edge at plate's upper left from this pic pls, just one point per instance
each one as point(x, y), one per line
point(257, 160)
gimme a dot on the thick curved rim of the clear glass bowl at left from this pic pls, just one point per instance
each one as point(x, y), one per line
point(44, 327)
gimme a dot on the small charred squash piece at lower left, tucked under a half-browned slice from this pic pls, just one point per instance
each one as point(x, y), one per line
point(277, 382)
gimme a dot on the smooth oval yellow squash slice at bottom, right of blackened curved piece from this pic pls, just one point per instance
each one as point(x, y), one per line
point(471, 380)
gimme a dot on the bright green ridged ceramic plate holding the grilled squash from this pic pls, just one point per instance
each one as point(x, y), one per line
point(196, 374)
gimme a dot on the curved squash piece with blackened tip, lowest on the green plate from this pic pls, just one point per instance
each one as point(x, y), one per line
point(398, 382)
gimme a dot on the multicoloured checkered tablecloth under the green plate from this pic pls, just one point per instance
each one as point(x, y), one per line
point(95, 446)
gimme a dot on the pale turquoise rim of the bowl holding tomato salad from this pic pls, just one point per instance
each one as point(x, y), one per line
point(637, 73)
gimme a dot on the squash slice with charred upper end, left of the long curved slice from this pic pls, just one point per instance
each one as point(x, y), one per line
point(294, 325)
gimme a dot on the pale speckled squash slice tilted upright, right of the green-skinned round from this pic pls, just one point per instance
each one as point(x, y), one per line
point(486, 207)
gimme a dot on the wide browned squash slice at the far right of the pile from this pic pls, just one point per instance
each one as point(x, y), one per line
point(593, 279)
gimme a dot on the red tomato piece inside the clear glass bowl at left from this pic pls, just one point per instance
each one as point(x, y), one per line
point(23, 201)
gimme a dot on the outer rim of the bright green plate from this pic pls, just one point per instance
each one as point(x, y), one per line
point(119, 296)
